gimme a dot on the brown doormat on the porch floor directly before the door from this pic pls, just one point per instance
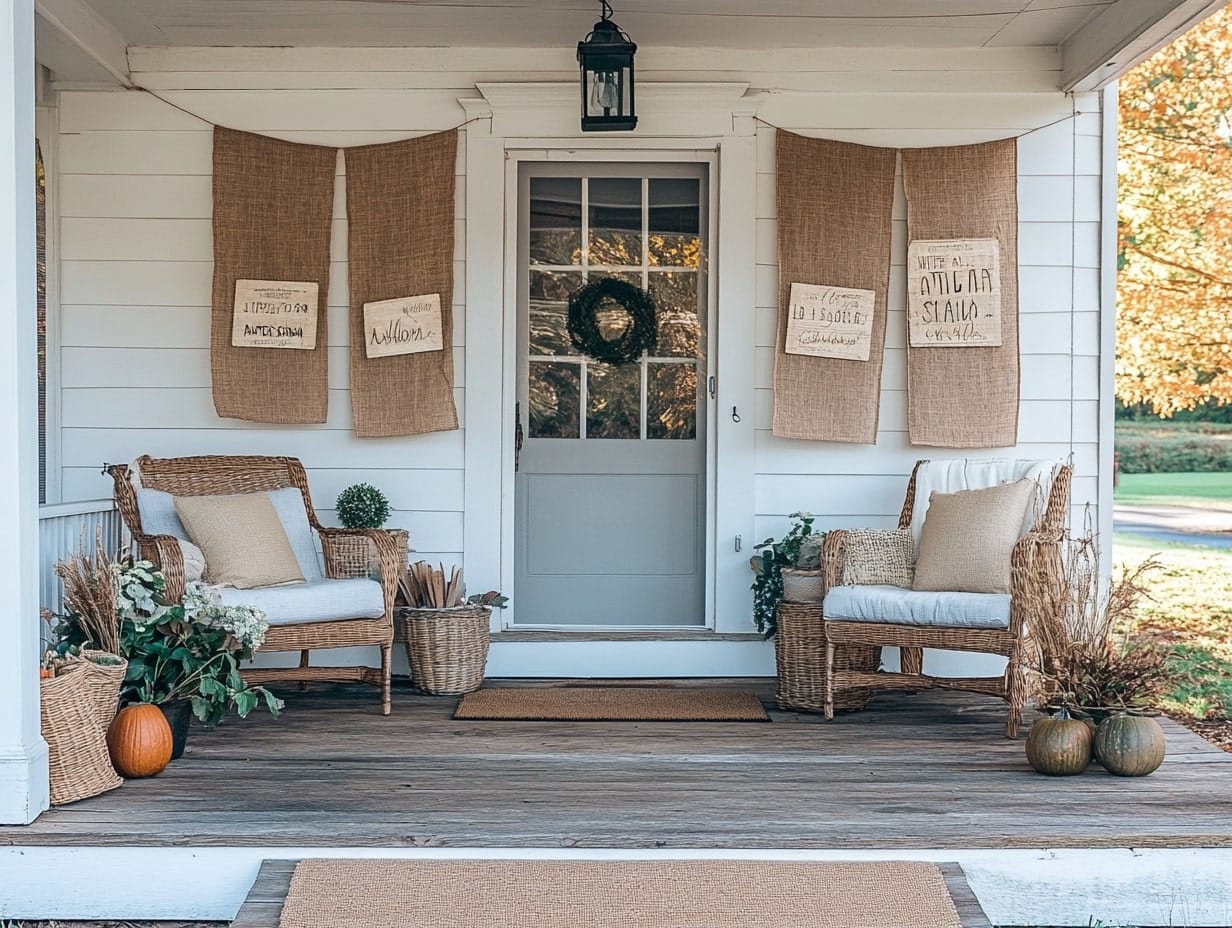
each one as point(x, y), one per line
point(613, 704)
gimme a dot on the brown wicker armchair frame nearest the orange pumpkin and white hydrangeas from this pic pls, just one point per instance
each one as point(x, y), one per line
point(217, 475)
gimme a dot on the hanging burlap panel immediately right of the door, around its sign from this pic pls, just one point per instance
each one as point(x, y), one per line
point(835, 222)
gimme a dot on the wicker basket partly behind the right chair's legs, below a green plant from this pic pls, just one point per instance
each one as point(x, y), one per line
point(800, 656)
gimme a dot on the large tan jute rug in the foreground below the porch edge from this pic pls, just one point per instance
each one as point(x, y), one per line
point(617, 894)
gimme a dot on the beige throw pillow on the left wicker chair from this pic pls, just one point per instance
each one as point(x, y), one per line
point(242, 538)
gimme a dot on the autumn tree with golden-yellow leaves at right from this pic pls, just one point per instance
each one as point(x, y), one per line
point(1175, 224)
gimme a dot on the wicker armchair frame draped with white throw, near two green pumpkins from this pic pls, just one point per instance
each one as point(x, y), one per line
point(1035, 559)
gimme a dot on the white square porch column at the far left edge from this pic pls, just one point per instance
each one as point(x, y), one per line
point(23, 751)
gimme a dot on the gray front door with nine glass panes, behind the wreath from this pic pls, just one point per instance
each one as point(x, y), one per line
point(612, 478)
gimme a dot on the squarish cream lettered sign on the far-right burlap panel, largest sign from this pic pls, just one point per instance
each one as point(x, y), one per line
point(954, 294)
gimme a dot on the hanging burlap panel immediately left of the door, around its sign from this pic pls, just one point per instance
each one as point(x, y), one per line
point(400, 206)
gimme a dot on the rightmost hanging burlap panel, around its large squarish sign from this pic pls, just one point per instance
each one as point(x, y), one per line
point(967, 397)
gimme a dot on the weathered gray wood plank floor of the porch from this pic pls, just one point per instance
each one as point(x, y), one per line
point(928, 771)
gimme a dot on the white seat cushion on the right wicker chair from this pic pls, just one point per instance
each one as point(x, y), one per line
point(896, 606)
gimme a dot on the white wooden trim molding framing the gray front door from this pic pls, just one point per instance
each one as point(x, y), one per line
point(511, 120)
